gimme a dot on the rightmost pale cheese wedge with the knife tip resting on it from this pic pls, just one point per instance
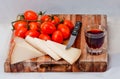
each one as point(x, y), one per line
point(70, 55)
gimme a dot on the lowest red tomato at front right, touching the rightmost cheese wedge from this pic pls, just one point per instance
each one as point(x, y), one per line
point(57, 36)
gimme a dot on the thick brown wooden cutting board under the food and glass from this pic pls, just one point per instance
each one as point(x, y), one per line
point(86, 62)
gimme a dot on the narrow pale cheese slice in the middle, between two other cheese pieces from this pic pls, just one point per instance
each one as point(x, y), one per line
point(41, 46)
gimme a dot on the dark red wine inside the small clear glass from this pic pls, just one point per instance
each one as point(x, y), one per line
point(94, 38)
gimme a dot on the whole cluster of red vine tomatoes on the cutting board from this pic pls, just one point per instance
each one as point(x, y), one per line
point(46, 27)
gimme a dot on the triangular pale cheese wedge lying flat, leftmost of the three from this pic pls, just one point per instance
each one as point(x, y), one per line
point(23, 51)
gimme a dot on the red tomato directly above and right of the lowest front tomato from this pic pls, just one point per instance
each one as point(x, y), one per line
point(65, 30)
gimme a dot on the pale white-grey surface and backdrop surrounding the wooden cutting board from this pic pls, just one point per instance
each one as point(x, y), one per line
point(9, 9)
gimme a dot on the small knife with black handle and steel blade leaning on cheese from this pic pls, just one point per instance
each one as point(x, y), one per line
point(74, 34)
